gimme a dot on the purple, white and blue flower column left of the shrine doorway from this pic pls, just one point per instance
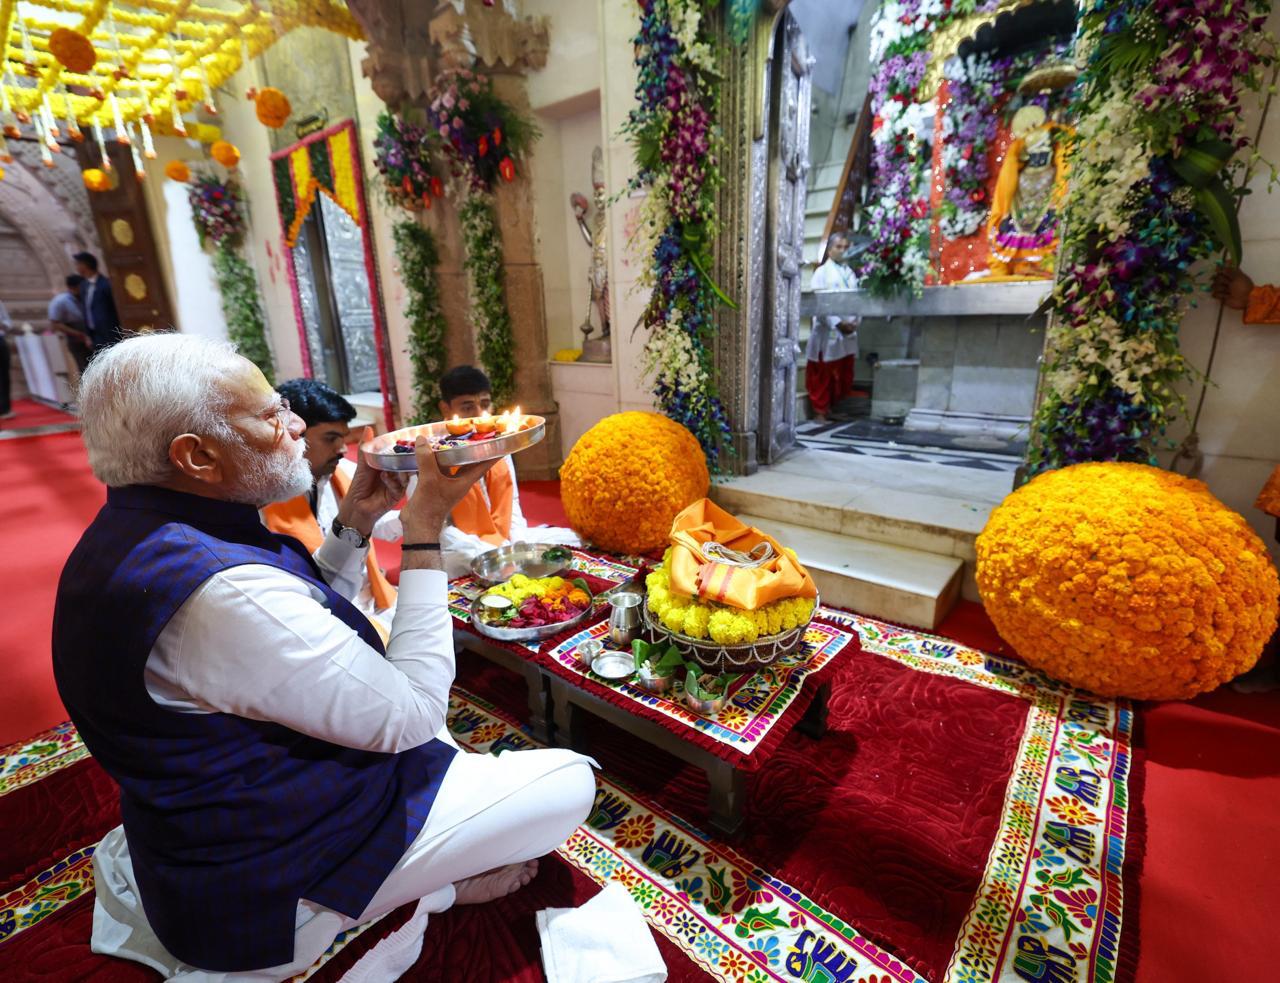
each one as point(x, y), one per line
point(678, 148)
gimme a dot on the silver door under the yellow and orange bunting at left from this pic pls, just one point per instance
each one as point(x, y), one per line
point(336, 300)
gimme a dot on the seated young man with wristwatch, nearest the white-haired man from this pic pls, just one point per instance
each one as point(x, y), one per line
point(310, 516)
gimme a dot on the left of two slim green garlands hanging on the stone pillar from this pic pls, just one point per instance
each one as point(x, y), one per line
point(418, 258)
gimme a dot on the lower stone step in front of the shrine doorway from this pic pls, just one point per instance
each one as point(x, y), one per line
point(907, 587)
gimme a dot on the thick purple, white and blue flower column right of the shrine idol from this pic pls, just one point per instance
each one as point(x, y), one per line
point(1160, 125)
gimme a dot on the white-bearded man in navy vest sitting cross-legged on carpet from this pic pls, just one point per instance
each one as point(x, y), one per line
point(282, 776)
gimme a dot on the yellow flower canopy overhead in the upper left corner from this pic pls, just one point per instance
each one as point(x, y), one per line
point(145, 63)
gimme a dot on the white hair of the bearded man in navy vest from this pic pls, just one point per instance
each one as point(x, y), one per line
point(141, 394)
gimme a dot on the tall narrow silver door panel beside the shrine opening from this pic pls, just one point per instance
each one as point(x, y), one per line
point(789, 86)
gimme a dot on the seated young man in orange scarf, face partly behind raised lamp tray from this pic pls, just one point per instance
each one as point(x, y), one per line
point(490, 516)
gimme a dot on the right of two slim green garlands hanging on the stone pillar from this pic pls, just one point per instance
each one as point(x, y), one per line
point(487, 294)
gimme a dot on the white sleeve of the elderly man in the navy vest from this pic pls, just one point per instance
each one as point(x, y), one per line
point(258, 643)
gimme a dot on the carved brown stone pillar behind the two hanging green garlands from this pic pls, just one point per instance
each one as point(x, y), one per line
point(409, 43)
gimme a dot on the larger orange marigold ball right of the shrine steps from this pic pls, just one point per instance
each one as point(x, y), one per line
point(1128, 582)
